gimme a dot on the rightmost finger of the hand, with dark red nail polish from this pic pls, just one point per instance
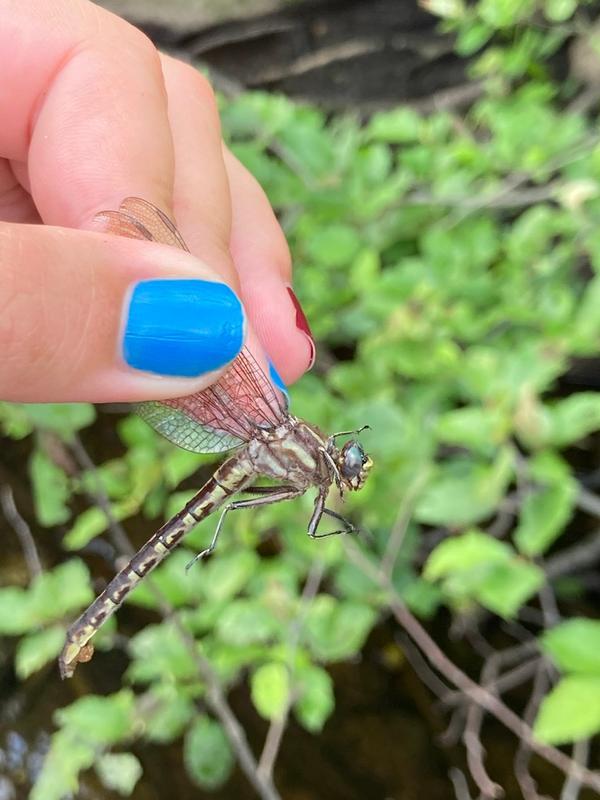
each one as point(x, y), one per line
point(262, 258)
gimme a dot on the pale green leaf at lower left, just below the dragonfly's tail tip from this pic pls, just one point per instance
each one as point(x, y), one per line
point(103, 720)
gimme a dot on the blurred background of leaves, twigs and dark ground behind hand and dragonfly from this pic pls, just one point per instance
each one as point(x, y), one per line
point(436, 169)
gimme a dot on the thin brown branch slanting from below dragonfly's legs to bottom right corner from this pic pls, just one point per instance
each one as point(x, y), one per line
point(472, 690)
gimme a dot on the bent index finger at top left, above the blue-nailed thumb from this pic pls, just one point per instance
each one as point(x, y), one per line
point(82, 102)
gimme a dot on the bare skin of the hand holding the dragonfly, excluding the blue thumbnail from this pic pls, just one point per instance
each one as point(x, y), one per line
point(92, 113)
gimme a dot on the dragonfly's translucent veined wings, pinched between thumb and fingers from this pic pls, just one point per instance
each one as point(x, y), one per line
point(229, 412)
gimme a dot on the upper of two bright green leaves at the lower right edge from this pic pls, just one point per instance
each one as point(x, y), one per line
point(574, 645)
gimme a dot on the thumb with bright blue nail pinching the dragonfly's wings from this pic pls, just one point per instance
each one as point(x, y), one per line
point(98, 318)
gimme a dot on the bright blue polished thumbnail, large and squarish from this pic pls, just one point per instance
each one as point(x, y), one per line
point(182, 327)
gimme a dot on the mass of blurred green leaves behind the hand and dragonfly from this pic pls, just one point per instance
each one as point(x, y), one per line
point(450, 268)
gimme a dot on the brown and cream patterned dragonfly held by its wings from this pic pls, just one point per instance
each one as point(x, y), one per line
point(243, 413)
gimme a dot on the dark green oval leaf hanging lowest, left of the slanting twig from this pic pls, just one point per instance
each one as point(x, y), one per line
point(207, 754)
